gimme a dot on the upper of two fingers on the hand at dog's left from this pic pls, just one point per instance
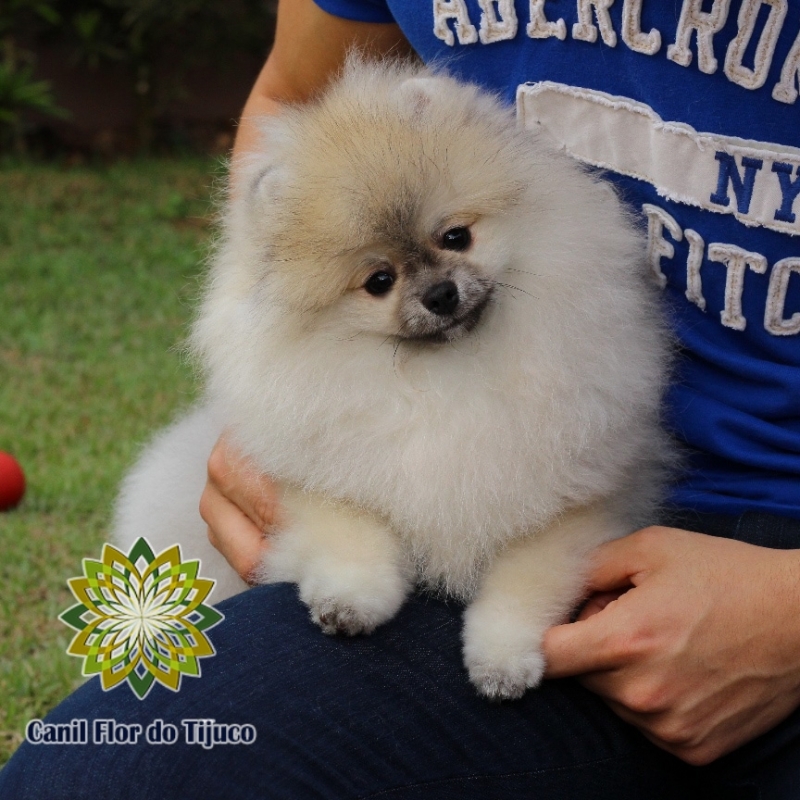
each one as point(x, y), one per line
point(237, 479)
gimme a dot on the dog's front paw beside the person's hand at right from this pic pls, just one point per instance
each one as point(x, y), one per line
point(502, 652)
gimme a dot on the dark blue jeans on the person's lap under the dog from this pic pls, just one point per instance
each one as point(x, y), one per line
point(388, 716)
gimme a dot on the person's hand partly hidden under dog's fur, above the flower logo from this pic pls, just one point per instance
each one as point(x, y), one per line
point(239, 505)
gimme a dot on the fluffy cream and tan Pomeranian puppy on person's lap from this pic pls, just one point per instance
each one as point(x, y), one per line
point(439, 335)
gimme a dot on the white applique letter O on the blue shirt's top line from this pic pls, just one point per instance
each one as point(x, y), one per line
point(748, 13)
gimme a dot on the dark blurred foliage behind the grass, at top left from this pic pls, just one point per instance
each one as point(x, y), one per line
point(125, 75)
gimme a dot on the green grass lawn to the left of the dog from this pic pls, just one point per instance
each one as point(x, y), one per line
point(98, 273)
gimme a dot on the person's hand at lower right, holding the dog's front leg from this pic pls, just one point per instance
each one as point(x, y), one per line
point(693, 639)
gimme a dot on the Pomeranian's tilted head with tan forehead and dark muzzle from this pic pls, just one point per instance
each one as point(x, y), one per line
point(388, 206)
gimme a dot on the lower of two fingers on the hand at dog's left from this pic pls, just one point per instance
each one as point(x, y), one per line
point(232, 532)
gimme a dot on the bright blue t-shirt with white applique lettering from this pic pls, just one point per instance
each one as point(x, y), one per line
point(692, 108)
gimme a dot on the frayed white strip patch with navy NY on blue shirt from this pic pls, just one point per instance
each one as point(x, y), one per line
point(756, 182)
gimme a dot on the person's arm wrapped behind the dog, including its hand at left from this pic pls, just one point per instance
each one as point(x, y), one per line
point(239, 504)
